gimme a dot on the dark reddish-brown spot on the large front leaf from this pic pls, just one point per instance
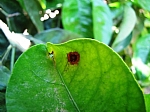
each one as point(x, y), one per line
point(73, 57)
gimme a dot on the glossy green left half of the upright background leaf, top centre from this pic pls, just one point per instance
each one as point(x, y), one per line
point(77, 17)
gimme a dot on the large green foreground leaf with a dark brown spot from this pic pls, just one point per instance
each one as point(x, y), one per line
point(79, 75)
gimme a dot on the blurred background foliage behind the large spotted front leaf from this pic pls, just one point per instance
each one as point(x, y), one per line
point(124, 25)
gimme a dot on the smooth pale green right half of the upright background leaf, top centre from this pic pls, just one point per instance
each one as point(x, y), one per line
point(102, 21)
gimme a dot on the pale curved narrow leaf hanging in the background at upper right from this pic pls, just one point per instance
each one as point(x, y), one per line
point(124, 37)
